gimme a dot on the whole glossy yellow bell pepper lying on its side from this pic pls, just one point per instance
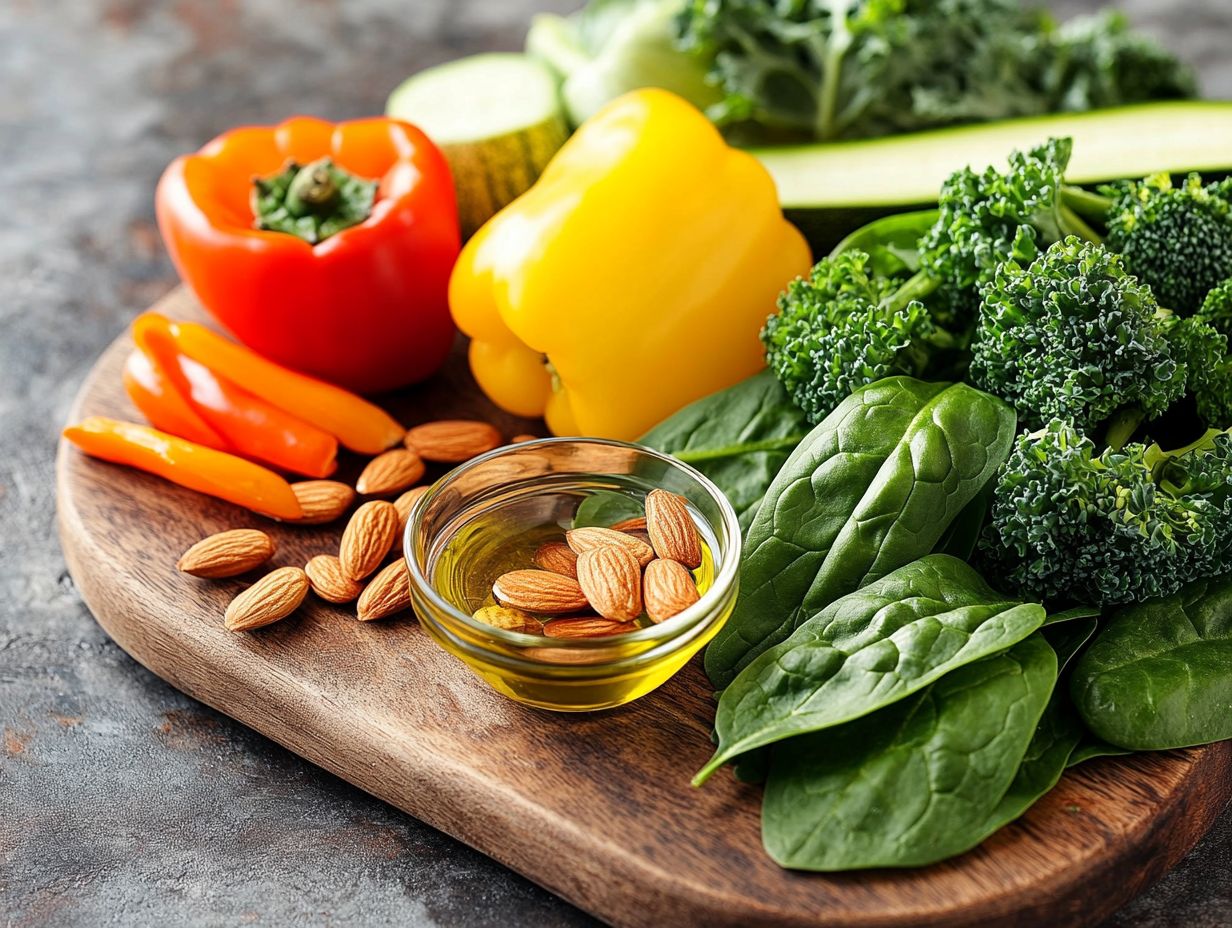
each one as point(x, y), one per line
point(633, 279)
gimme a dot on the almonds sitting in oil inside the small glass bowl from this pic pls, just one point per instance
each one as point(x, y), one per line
point(599, 582)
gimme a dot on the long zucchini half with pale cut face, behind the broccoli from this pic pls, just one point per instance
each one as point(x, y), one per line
point(830, 189)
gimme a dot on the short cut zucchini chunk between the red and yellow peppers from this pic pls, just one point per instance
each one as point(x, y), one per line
point(497, 118)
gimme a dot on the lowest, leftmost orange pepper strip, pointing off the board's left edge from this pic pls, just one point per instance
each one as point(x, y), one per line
point(188, 464)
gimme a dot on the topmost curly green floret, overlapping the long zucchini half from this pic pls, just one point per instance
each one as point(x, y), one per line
point(989, 218)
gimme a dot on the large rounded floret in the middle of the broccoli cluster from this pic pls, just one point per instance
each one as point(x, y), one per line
point(1075, 337)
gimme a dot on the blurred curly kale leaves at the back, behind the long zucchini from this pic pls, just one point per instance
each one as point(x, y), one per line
point(861, 68)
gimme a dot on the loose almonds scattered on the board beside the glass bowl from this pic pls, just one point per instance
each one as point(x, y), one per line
point(358, 572)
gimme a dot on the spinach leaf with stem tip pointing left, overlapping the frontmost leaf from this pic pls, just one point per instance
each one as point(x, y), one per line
point(869, 650)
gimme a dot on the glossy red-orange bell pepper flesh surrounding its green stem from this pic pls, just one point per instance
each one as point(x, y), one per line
point(365, 309)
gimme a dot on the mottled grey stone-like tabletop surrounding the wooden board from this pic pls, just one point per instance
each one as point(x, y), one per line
point(123, 802)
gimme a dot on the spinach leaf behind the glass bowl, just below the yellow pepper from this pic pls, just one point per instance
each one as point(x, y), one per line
point(740, 438)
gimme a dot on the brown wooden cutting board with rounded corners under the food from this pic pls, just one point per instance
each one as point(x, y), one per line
point(596, 808)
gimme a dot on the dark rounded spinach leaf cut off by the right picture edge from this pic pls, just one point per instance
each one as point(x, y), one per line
point(1159, 675)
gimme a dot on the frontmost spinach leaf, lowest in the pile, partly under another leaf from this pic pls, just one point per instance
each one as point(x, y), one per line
point(915, 783)
